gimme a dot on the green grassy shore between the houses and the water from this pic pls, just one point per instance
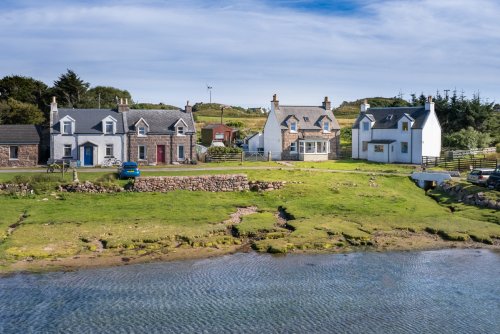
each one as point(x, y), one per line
point(315, 211)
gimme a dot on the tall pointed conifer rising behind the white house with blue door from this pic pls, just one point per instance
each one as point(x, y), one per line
point(70, 89)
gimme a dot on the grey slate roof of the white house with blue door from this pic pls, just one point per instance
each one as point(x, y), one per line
point(89, 121)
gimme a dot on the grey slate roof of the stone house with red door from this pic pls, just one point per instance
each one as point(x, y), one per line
point(160, 121)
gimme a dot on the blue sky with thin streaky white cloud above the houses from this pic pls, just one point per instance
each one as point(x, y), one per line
point(247, 50)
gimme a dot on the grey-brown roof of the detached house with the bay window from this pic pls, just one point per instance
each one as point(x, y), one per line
point(308, 117)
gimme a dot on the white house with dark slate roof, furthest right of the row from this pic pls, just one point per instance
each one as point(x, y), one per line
point(396, 134)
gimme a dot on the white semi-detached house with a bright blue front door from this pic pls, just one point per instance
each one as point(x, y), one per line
point(86, 135)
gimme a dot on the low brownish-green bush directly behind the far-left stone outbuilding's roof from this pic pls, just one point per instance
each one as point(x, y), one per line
point(15, 112)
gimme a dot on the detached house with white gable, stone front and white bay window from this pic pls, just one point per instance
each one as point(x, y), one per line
point(308, 133)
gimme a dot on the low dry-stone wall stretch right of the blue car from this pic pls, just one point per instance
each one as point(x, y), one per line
point(212, 183)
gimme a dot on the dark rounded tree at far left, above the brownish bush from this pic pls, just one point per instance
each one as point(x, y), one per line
point(24, 89)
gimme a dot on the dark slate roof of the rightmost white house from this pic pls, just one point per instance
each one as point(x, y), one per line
point(382, 120)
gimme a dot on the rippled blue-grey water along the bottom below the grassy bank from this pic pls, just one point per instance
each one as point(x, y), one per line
point(446, 291)
